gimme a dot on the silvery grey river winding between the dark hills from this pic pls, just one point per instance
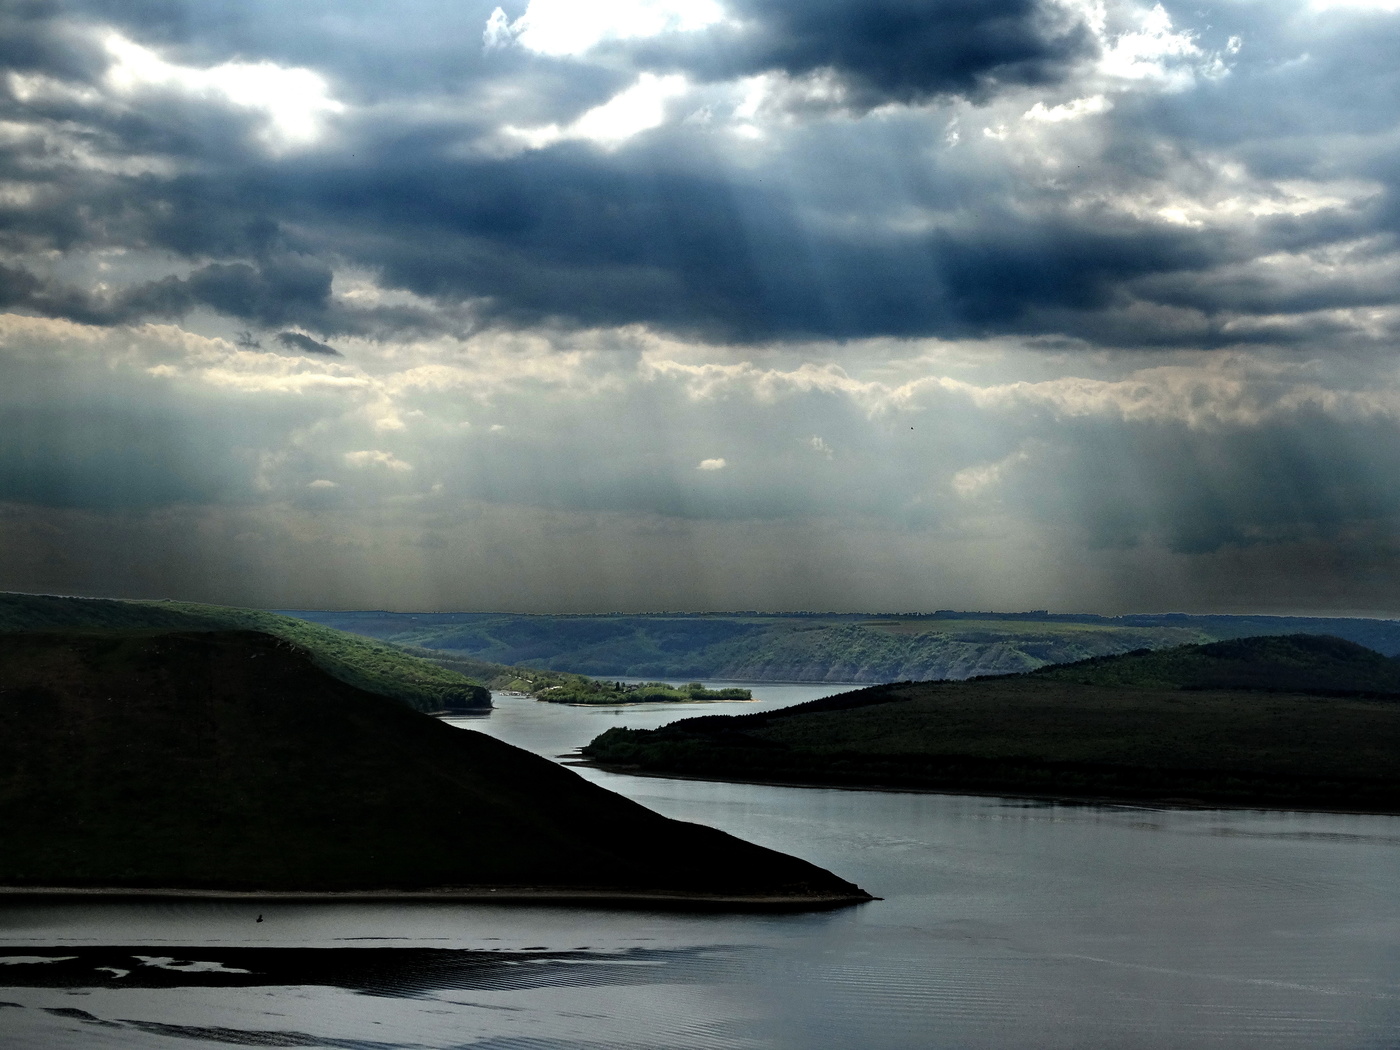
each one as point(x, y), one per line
point(1003, 925)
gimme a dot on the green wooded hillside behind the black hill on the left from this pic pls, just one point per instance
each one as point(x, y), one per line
point(372, 666)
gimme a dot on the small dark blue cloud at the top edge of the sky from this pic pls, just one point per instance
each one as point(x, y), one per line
point(888, 50)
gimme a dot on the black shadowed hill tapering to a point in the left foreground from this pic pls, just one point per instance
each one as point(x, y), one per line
point(232, 762)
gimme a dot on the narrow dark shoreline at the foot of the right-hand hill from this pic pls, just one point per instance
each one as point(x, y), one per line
point(1123, 803)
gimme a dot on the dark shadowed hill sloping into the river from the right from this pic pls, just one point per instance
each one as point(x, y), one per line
point(1289, 722)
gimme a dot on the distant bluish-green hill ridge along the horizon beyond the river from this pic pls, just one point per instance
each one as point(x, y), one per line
point(821, 647)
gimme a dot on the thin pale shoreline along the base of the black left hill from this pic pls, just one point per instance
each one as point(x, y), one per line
point(458, 895)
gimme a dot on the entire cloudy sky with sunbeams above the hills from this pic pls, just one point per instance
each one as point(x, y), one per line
point(1086, 306)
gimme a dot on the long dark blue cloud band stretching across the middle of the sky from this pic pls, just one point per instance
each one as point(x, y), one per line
point(566, 234)
